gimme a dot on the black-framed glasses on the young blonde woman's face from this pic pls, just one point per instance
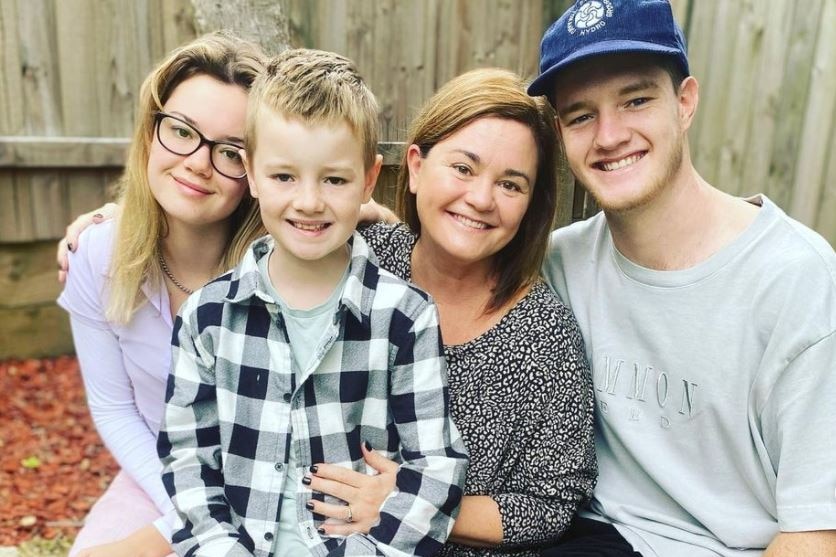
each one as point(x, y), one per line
point(181, 138)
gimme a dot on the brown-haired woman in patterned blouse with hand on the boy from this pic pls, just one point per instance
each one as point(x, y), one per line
point(477, 195)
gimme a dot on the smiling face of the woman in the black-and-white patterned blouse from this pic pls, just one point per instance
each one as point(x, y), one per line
point(473, 188)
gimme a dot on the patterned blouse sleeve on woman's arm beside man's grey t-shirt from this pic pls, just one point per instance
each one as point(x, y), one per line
point(556, 469)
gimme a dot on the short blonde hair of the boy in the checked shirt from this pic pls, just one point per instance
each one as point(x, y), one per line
point(317, 87)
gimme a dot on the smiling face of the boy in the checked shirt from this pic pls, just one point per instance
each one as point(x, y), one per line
point(310, 181)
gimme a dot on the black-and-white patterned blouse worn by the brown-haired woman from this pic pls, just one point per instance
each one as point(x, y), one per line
point(521, 396)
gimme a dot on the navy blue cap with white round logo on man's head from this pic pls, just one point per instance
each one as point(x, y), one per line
point(596, 27)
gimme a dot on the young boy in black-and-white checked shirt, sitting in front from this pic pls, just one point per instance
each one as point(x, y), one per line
point(307, 349)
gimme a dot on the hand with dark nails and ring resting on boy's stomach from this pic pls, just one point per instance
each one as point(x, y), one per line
point(364, 494)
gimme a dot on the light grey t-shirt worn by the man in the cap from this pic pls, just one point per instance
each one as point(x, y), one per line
point(715, 386)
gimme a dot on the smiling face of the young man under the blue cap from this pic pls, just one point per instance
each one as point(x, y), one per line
point(623, 128)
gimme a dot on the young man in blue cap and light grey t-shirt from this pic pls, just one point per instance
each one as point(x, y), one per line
point(709, 320)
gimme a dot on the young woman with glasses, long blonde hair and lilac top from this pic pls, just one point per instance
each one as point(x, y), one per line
point(187, 216)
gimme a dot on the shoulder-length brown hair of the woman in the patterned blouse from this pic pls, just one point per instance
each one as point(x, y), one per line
point(497, 93)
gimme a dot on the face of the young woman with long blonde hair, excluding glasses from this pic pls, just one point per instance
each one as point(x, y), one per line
point(188, 188)
